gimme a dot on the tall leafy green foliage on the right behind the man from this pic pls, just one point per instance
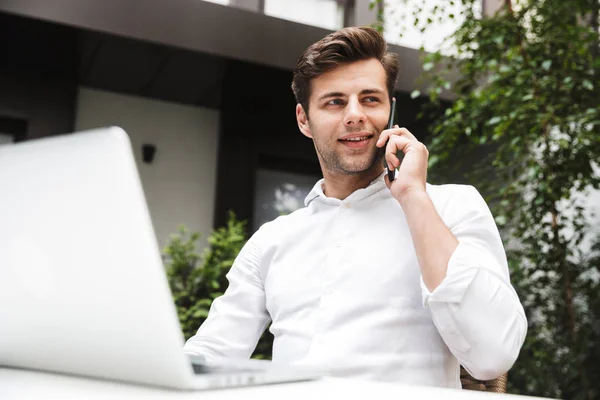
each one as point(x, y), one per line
point(525, 84)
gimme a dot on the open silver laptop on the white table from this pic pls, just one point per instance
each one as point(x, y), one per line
point(82, 286)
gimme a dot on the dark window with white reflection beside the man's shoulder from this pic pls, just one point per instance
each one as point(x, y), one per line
point(279, 193)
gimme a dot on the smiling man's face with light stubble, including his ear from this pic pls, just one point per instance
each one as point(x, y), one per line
point(348, 107)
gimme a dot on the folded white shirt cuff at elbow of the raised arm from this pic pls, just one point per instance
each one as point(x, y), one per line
point(459, 275)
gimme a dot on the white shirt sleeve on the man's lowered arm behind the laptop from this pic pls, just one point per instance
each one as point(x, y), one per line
point(238, 318)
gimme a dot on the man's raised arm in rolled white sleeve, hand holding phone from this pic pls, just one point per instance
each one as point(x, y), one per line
point(465, 279)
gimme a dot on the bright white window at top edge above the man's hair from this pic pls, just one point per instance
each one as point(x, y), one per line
point(328, 14)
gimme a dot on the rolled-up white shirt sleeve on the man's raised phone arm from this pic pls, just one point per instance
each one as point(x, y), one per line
point(475, 308)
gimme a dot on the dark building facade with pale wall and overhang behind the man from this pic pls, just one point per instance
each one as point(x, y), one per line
point(206, 84)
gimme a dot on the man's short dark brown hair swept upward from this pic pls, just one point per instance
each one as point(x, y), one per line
point(342, 47)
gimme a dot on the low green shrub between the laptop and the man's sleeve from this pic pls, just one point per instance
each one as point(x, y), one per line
point(194, 286)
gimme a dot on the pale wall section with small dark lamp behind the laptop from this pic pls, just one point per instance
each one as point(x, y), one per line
point(180, 183)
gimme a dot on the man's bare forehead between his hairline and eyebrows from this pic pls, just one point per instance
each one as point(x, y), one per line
point(350, 78)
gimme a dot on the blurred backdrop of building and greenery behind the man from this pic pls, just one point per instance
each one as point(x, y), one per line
point(504, 93)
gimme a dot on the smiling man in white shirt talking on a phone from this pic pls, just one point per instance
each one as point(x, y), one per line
point(399, 281)
